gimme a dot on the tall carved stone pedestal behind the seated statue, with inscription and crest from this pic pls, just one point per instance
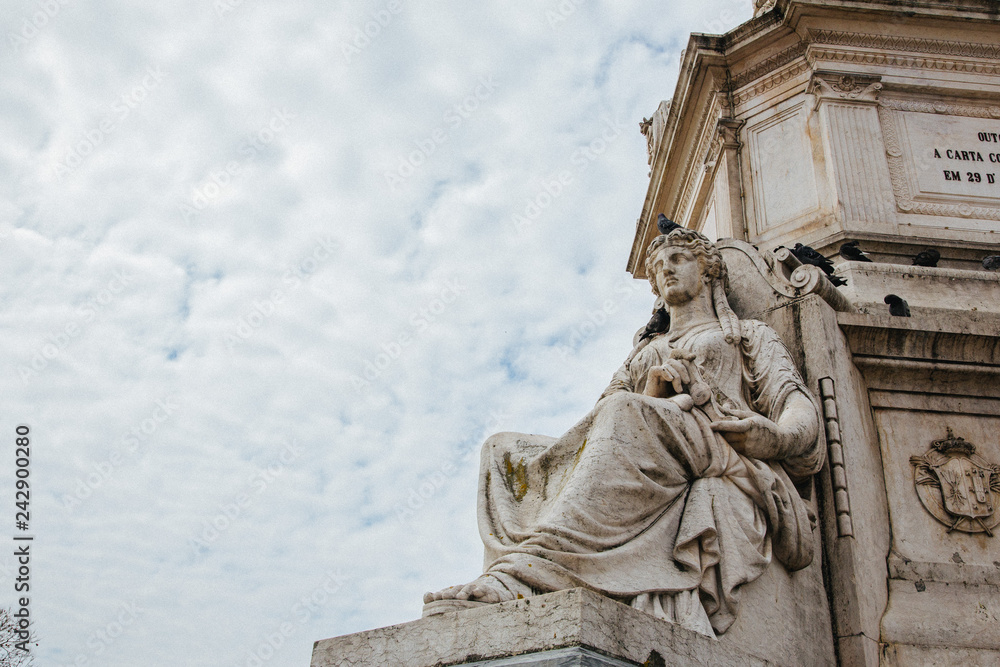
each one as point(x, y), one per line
point(825, 121)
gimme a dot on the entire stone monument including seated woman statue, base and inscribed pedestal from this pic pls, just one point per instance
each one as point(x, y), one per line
point(782, 472)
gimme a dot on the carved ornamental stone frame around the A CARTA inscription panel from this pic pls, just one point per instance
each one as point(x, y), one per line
point(889, 119)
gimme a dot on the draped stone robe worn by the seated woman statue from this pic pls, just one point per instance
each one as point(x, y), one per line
point(642, 501)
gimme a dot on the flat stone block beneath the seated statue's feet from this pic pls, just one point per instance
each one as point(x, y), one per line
point(573, 618)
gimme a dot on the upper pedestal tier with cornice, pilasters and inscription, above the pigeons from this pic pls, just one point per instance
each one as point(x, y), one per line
point(838, 108)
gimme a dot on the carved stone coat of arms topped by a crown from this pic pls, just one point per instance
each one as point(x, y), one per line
point(957, 486)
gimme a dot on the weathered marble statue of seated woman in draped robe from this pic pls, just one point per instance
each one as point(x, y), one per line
point(679, 486)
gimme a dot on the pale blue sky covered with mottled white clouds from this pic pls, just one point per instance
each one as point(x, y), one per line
point(271, 272)
